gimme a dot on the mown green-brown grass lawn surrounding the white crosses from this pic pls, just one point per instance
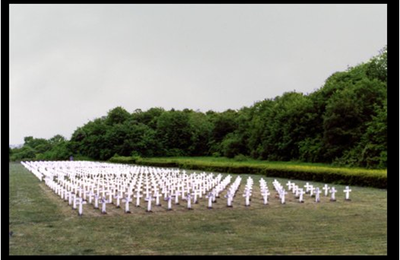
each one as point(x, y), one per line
point(42, 224)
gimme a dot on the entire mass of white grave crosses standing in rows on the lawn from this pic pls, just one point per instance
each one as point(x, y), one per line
point(79, 182)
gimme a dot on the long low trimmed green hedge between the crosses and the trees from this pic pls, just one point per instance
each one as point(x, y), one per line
point(347, 176)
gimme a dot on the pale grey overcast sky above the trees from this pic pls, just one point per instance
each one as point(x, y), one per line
point(73, 63)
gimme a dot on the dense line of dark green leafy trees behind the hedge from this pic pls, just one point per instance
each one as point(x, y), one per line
point(343, 122)
